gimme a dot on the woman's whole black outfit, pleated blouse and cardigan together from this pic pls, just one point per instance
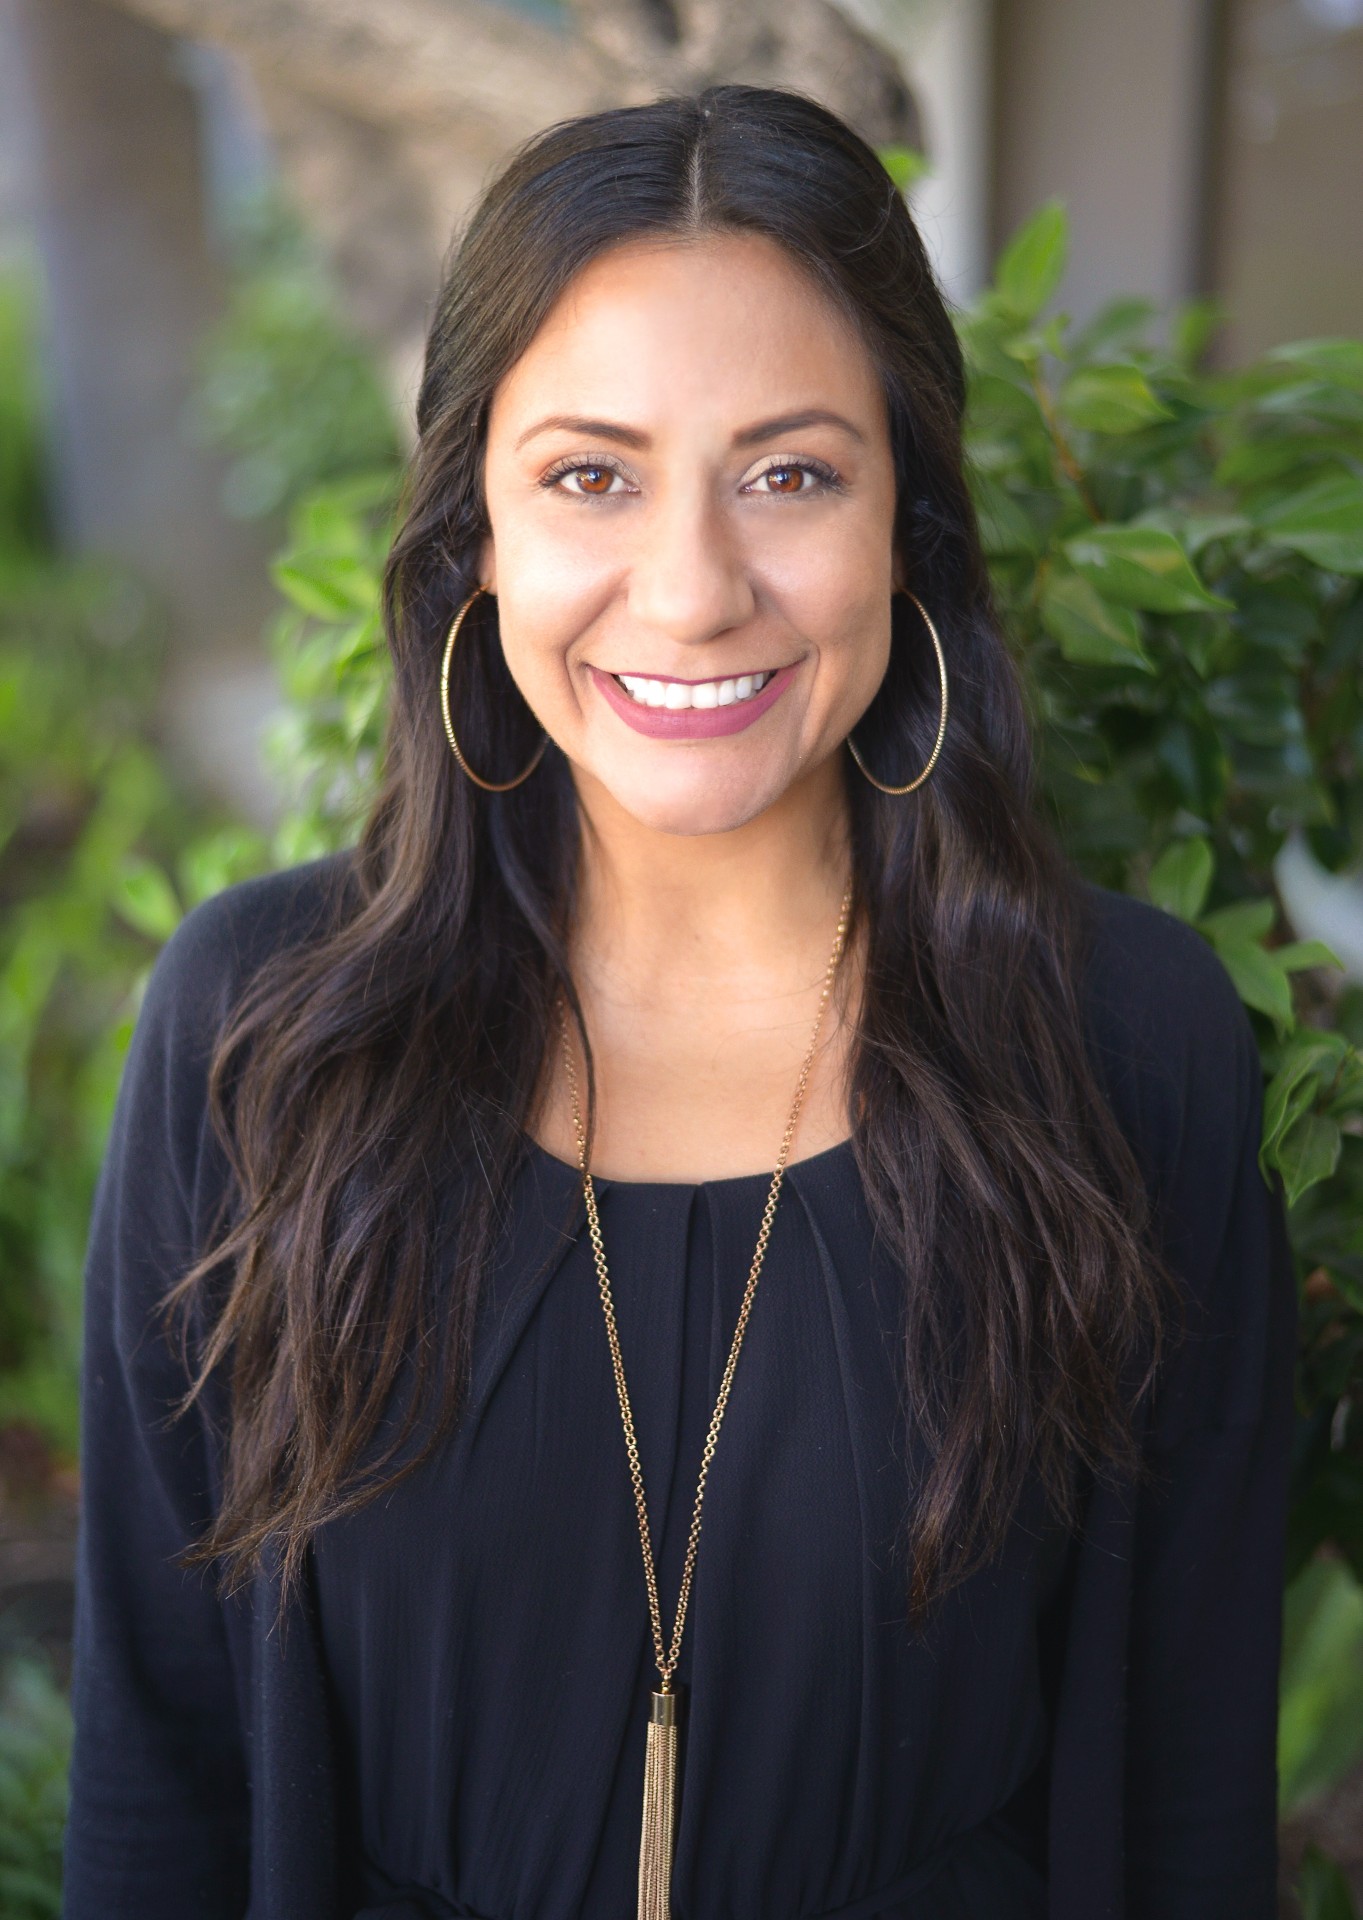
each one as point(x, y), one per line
point(452, 1719)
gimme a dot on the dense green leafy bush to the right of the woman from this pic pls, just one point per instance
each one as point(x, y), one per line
point(1180, 556)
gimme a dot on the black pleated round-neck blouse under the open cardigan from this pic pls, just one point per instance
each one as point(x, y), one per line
point(489, 1633)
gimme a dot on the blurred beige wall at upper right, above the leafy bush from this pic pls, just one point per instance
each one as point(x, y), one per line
point(1203, 147)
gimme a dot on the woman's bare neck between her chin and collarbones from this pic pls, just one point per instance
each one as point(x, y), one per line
point(682, 917)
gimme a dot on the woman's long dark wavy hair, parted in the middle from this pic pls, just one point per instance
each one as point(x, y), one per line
point(400, 1051)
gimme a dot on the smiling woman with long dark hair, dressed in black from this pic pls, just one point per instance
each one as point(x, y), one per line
point(460, 1164)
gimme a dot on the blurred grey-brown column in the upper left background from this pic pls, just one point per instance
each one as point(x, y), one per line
point(132, 283)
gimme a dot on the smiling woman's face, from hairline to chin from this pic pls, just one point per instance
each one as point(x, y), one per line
point(692, 500)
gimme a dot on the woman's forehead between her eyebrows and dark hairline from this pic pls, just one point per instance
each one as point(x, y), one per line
point(715, 329)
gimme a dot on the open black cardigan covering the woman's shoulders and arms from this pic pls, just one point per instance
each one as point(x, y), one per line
point(210, 1773)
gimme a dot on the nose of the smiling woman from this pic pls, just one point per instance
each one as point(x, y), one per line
point(688, 579)
